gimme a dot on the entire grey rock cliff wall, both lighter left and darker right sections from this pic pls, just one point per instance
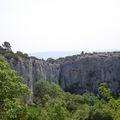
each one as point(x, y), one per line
point(76, 74)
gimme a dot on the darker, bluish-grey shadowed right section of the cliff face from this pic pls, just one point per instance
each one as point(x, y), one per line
point(86, 73)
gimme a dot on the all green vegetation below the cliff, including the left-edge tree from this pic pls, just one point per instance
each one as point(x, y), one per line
point(50, 102)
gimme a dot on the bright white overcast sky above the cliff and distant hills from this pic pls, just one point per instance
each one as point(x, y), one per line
point(60, 25)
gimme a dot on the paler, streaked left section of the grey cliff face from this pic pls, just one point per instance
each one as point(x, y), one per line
point(32, 70)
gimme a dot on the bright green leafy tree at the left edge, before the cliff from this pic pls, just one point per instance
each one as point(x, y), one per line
point(11, 94)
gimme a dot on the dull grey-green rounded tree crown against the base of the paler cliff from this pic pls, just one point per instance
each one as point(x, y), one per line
point(44, 91)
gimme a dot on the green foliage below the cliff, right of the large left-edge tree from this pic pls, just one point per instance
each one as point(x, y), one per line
point(56, 104)
